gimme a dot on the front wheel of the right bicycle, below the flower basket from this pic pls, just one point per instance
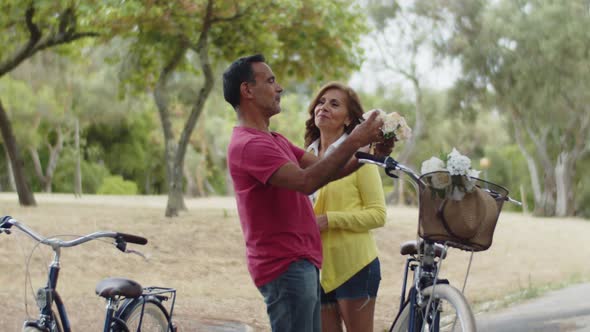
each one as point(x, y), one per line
point(449, 312)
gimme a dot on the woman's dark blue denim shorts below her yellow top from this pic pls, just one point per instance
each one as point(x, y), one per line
point(364, 284)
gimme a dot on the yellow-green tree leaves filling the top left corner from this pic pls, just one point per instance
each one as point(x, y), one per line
point(60, 23)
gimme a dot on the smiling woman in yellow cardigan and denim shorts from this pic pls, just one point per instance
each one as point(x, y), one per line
point(346, 211)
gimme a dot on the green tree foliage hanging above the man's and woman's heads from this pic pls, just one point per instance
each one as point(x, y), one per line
point(301, 39)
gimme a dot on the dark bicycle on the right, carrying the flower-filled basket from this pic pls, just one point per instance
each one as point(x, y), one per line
point(432, 303)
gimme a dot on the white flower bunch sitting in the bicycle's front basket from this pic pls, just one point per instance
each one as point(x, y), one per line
point(451, 180)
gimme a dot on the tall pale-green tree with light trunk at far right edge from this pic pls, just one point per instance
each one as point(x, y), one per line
point(529, 60)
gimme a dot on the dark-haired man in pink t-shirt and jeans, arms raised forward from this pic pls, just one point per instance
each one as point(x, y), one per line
point(272, 179)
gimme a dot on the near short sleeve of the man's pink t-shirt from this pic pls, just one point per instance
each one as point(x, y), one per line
point(261, 158)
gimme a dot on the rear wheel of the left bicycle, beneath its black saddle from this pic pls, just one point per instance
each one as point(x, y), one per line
point(155, 317)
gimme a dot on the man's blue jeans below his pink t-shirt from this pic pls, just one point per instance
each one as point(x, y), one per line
point(293, 299)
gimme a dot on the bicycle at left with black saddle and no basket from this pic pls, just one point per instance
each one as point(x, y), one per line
point(130, 307)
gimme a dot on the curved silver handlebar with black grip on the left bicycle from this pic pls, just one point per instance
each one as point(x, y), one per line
point(7, 222)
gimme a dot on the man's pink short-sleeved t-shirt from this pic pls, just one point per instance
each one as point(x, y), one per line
point(279, 225)
